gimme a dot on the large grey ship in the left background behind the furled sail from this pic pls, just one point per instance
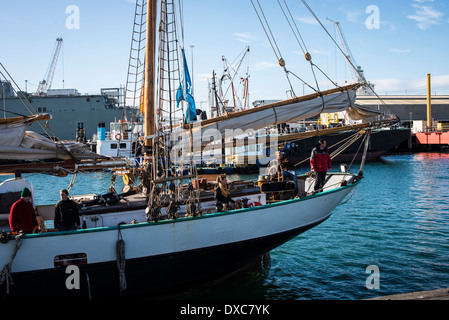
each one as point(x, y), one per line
point(70, 110)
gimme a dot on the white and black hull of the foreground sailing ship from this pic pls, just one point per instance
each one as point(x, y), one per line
point(165, 258)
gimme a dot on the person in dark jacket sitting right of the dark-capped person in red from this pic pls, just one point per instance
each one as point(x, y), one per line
point(66, 213)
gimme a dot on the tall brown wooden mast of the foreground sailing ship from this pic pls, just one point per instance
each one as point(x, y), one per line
point(149, 93)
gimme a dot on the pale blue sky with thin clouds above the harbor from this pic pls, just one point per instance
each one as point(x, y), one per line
point(397, 43)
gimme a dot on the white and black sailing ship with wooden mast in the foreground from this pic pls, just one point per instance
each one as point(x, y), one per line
point(166, 235)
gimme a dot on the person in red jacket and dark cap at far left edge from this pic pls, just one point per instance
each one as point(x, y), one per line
point(22, 216)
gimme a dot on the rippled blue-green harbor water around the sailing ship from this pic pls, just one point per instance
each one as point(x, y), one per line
point(396, 221)
